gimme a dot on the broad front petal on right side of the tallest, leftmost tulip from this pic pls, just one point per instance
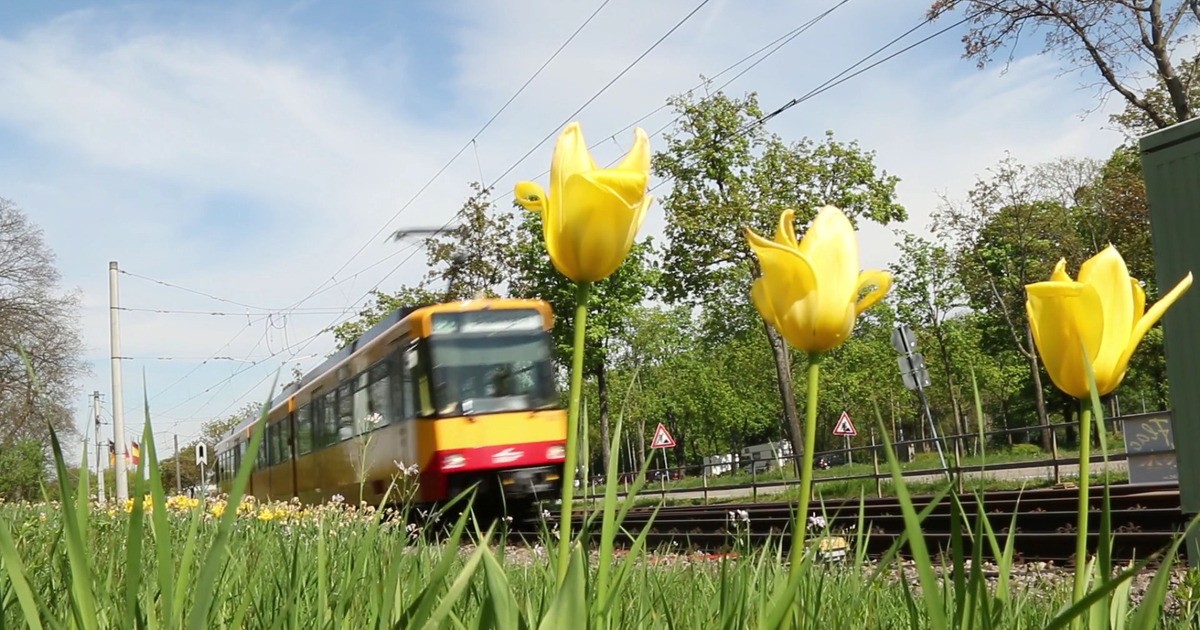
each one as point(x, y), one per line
point(602, 212)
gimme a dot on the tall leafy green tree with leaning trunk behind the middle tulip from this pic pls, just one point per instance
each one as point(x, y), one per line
point(730, 175)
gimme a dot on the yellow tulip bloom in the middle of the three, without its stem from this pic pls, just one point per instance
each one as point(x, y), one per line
point(809, 290)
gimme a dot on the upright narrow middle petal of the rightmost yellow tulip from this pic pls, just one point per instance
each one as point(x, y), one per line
point(1108, 274)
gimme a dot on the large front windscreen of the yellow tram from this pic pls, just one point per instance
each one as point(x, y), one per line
point(491, 374)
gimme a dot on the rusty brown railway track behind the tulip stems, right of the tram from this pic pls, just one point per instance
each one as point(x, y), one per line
point(1145, 520)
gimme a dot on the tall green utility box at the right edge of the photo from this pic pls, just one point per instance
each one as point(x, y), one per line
point(1171, 163)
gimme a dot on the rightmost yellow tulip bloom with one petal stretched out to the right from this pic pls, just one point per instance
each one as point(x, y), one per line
point(1102, 314)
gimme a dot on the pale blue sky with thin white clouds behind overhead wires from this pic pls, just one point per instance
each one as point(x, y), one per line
point(244, 163)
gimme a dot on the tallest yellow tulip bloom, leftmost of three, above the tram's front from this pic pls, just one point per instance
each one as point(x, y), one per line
point(592, 215)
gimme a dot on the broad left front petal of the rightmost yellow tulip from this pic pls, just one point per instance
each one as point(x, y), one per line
point(1065, 325)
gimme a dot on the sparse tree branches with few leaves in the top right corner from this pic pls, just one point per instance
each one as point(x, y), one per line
point(1120, 40)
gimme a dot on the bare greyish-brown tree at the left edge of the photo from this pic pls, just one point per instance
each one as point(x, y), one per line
point(41, 321)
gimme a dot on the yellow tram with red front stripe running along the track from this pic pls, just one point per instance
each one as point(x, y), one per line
point(441, 397)
